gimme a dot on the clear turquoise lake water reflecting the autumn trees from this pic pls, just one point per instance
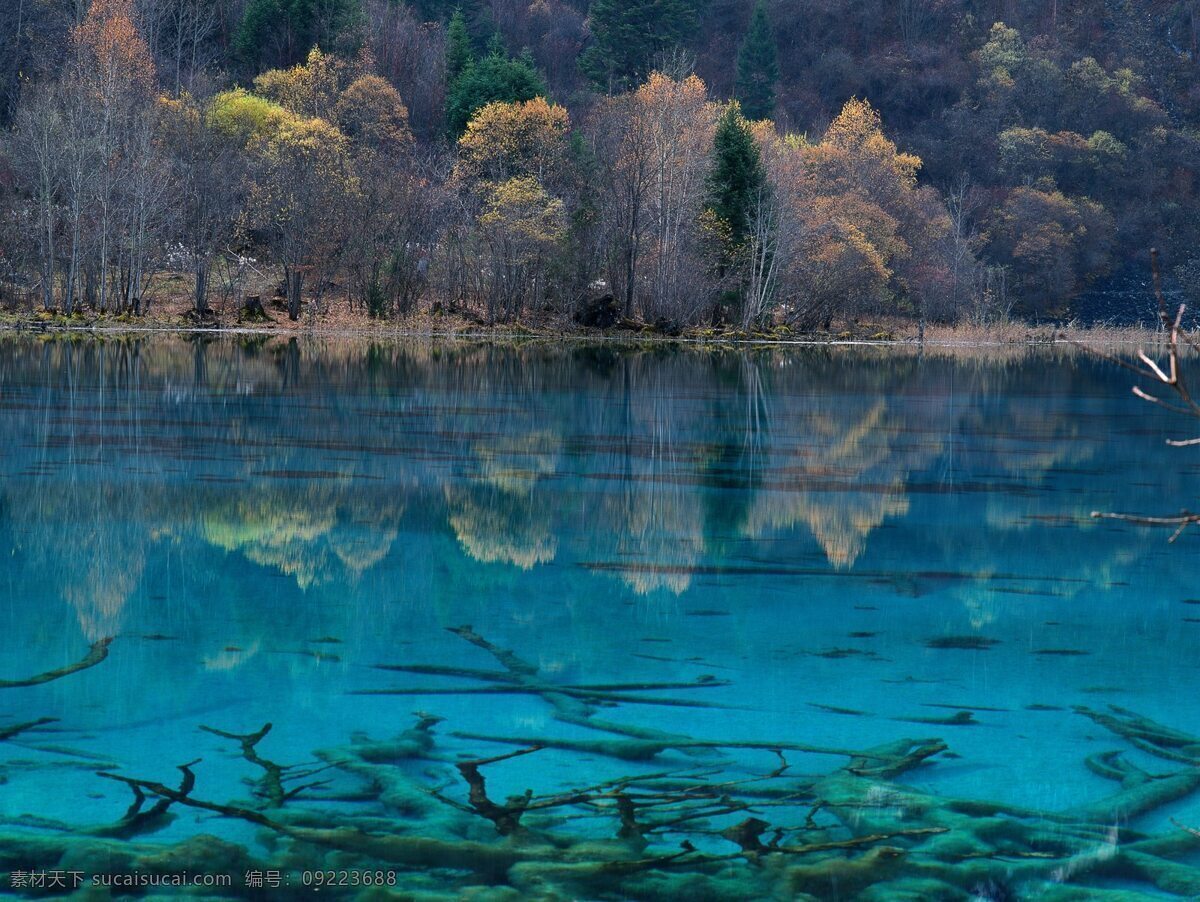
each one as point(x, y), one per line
point(671, 563)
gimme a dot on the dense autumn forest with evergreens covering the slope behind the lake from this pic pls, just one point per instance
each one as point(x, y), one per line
point(682, 163)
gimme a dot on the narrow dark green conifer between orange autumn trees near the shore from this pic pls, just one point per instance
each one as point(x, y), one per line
point(739, 178)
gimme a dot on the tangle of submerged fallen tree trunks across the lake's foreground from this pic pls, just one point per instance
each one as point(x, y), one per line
point(698, 828)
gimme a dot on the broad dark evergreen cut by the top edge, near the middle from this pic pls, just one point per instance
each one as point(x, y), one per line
point(627, 35)
